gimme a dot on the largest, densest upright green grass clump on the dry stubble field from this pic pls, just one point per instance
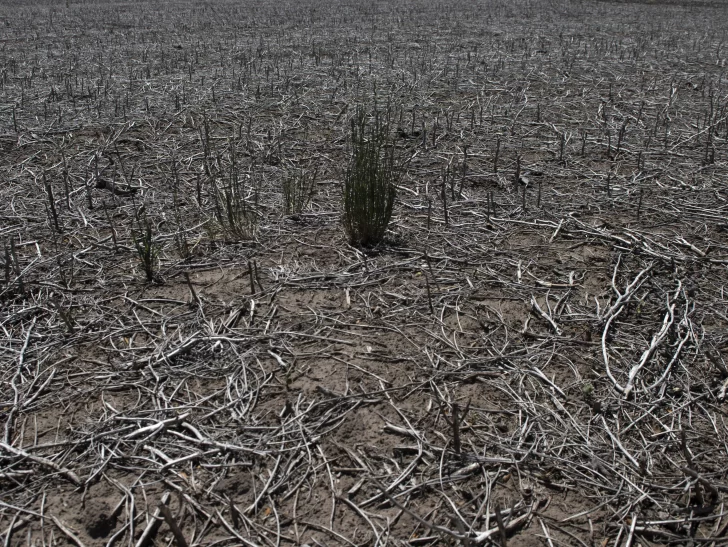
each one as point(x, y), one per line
point(369, 181)
